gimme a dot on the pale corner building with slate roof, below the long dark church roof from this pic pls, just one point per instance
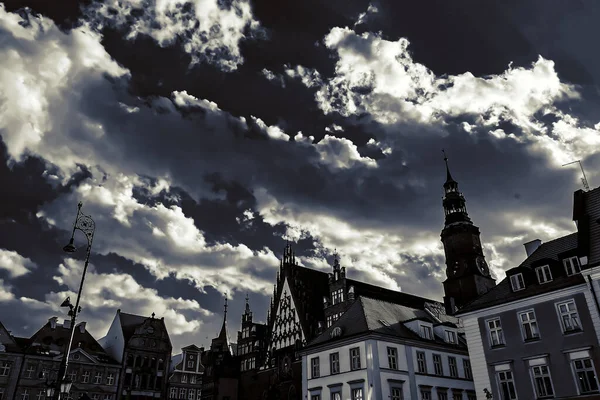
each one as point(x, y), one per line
point(383, 350)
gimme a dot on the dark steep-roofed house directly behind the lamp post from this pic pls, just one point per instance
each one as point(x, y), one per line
point(93, 372)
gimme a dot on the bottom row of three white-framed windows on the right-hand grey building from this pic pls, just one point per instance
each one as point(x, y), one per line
point(584, 375)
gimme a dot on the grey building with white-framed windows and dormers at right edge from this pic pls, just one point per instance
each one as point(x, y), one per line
point(535, 335)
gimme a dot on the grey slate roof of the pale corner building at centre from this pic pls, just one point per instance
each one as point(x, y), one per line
point(366, 315)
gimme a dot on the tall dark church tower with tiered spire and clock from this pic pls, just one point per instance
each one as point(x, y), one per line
point(467, 272)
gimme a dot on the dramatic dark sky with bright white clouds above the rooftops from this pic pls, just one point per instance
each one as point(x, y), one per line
point(202, 134)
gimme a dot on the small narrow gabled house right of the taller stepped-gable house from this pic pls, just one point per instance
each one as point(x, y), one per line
point(185, 379)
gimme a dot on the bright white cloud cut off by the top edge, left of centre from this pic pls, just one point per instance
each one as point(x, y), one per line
point(209, 30)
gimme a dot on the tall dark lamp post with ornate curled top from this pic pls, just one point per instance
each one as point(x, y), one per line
point(85, 224)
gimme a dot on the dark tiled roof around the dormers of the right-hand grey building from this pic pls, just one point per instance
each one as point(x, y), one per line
point(502, 293)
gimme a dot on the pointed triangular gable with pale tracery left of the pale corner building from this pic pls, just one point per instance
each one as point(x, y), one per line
point(287, 328)
